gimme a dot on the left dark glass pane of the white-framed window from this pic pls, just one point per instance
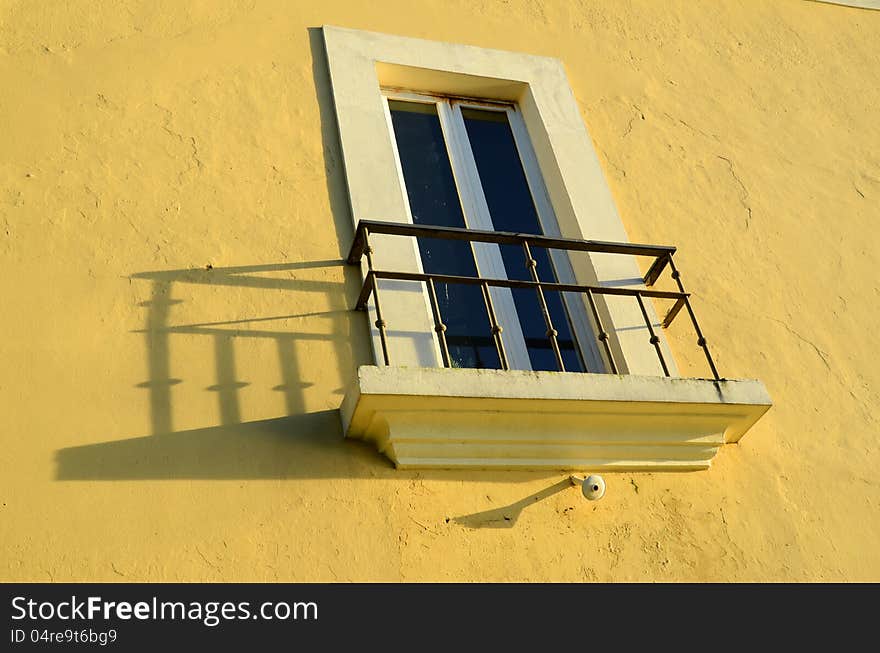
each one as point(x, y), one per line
point(433, 200)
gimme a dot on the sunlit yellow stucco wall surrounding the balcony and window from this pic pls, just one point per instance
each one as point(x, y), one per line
point(164, 421)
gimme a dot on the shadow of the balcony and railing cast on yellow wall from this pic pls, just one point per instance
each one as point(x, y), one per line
point(300, 444)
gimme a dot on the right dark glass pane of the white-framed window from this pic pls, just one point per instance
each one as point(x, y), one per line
point(512, 209)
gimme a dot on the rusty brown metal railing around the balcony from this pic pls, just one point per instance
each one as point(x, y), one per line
point(661, 255)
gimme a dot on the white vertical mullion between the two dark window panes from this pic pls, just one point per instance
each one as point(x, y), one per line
point(477, 216)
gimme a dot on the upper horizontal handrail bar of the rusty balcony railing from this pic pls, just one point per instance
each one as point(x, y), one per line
point(500, 237)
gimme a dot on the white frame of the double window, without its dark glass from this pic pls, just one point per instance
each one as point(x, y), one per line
point(475, 210)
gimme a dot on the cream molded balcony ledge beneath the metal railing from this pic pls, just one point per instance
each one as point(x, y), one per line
point(436, 418)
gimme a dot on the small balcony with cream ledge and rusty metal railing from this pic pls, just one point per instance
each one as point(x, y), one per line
point(513, 419)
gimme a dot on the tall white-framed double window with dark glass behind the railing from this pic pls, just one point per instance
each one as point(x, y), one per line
point(468, 163)
